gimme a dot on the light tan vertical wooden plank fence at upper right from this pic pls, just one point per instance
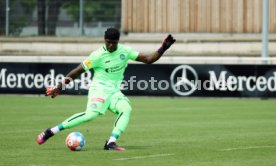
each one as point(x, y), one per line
point(218, 16)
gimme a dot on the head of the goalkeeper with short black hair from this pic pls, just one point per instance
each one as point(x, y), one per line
point(111, 36)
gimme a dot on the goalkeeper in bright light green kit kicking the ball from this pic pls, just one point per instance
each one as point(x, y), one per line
point(109, 63)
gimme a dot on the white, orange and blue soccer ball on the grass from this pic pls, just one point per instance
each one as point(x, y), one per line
point(75, 141)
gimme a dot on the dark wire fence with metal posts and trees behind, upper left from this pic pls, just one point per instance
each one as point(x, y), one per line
point(58, 17)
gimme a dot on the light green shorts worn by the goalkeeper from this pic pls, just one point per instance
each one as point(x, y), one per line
point(100, 101)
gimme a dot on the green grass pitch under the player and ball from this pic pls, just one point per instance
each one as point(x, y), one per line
point(163, 131)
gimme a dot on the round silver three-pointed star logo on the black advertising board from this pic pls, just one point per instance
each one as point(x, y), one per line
point(184, 80)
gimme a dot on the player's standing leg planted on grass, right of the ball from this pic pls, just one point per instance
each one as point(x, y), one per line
point(120, 105)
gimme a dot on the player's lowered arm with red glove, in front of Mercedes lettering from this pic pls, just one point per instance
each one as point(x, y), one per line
point(53, 91)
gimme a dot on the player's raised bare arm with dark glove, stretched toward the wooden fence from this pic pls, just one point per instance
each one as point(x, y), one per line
point(151, 58)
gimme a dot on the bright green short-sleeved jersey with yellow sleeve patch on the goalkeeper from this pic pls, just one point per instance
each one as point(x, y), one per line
point(109, 67)
